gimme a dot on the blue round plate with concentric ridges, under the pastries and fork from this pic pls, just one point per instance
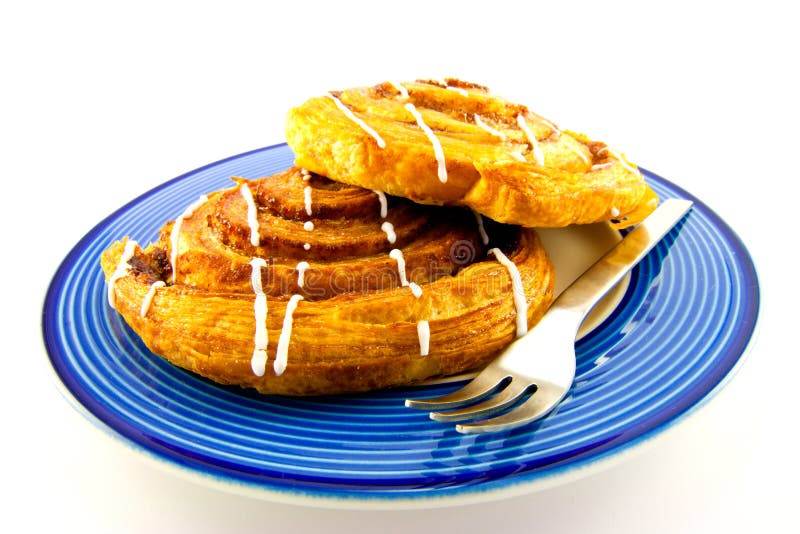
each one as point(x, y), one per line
point(681, 328)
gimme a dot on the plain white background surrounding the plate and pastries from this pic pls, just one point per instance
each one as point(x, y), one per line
point(101, 103)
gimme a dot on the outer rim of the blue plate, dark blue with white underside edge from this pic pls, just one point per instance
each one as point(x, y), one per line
point(503, 487)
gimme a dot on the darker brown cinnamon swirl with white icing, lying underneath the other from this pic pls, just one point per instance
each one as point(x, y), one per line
point(297, 285)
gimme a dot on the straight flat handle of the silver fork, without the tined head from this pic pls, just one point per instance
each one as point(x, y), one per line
point(598, 280)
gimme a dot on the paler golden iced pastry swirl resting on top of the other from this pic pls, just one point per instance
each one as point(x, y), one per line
point(449, 142)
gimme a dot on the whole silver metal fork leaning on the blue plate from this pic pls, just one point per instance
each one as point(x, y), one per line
point(541, 364)
